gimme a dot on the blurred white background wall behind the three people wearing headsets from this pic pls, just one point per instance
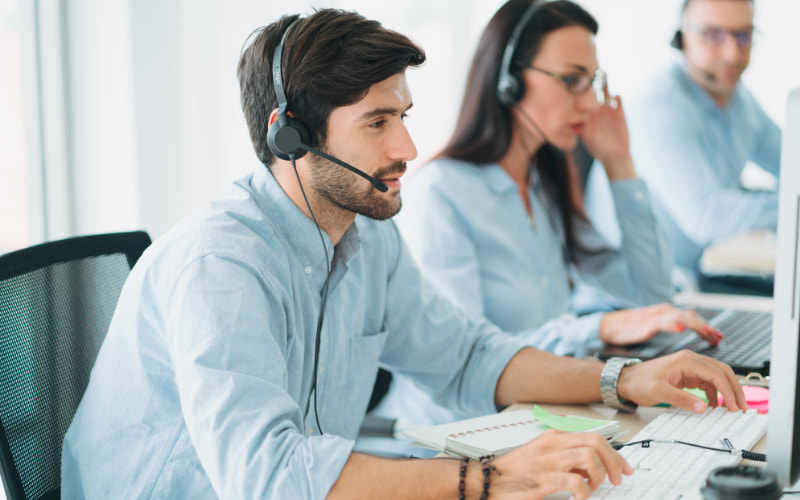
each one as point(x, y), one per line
point(156, 127)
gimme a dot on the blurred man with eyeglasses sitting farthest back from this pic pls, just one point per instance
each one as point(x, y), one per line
point(695, 126)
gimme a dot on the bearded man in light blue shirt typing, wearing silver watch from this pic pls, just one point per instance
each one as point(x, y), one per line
point(245, 345)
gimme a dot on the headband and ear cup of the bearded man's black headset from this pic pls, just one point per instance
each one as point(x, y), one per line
point(287, 134)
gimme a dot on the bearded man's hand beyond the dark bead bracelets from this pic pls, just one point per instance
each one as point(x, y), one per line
point(557, 461)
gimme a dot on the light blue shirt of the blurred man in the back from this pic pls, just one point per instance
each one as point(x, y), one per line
point(691, 152)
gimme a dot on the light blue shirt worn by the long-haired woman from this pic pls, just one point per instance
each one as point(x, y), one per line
point(472, 236)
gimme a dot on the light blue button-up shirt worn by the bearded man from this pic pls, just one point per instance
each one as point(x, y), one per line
point(201, 387)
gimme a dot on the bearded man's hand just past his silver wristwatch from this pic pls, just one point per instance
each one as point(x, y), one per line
point(662, 380)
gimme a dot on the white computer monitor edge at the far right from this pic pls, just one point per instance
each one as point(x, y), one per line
point(783, 430)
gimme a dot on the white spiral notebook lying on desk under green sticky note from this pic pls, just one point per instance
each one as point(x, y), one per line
point(502, 432)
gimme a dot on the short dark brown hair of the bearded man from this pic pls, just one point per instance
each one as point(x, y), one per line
point(330, 59)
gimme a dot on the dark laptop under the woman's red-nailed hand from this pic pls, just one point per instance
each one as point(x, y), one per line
point(746, 346)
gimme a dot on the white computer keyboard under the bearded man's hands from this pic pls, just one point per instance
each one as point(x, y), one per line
point(676, 471)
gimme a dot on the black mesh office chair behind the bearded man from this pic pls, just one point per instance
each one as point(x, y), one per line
point(56, 303)
